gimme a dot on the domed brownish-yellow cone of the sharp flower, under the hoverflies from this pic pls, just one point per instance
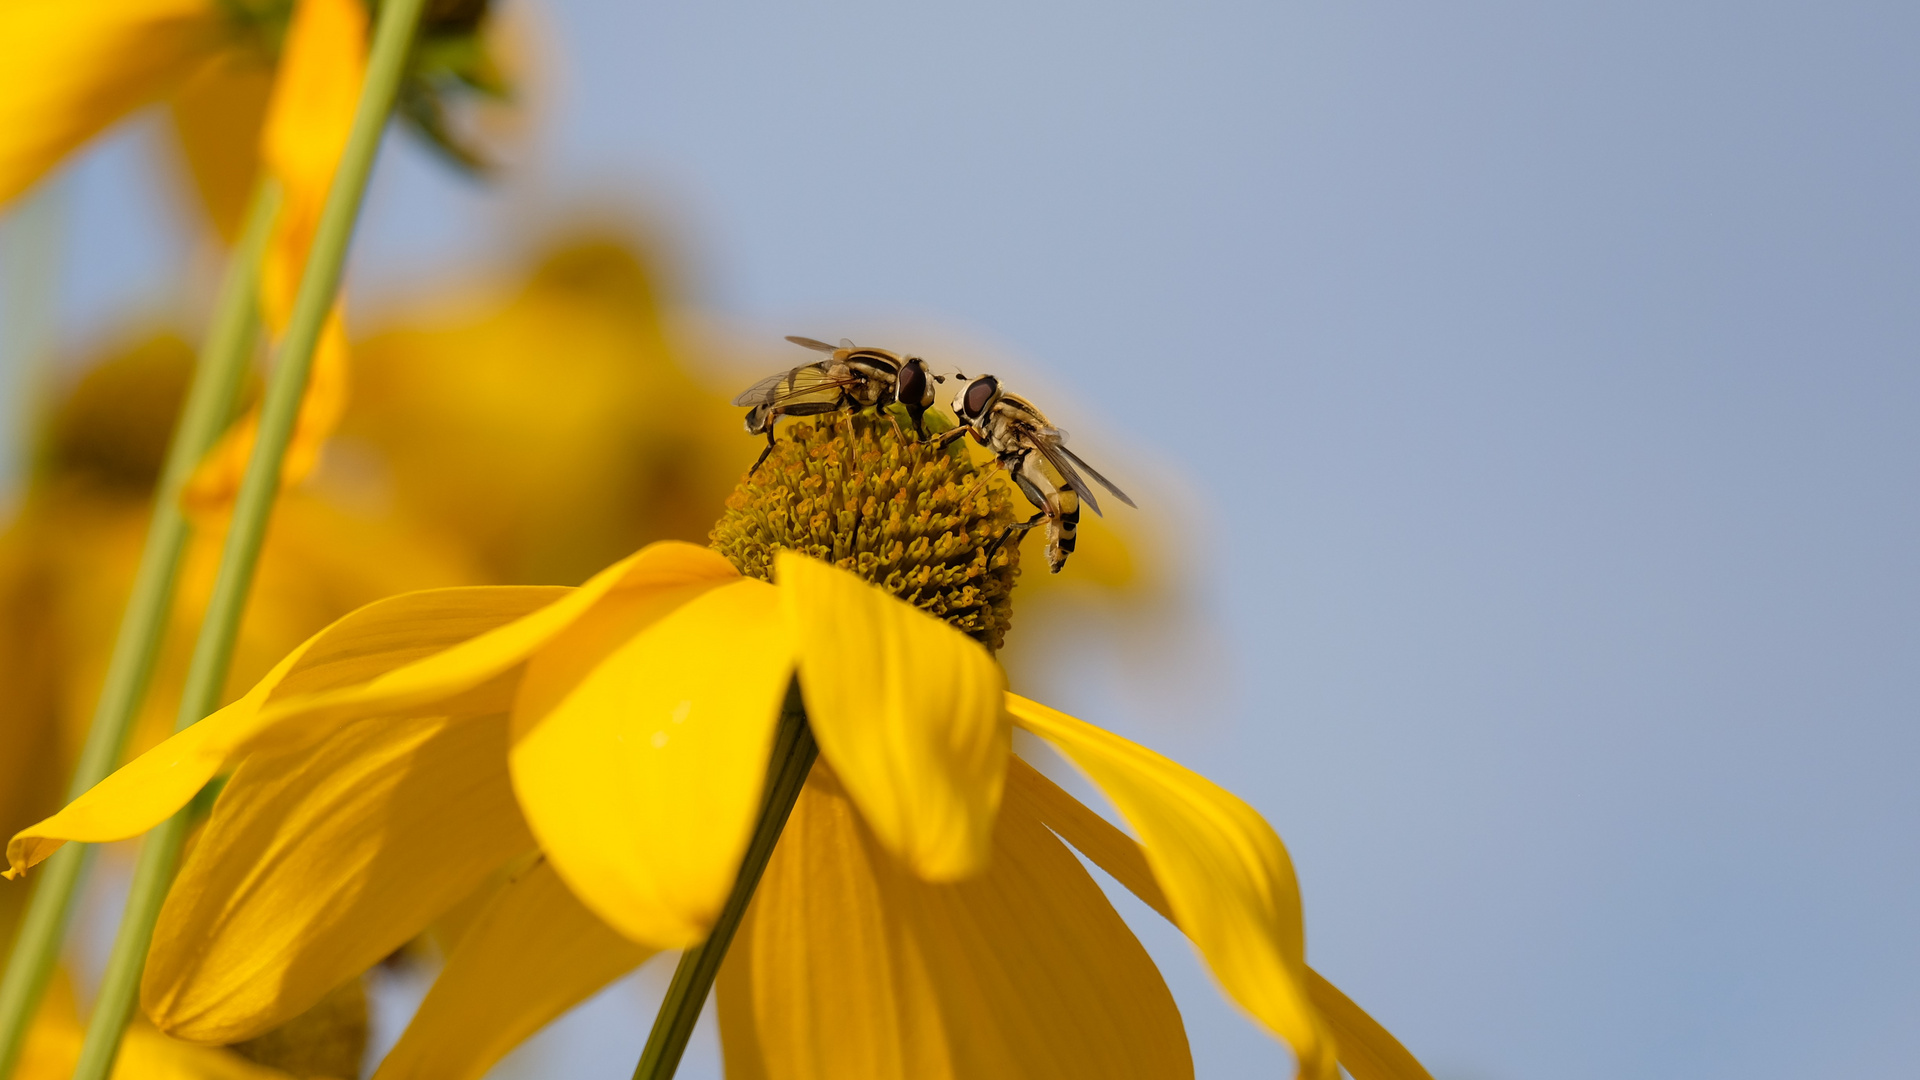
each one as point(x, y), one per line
point(913, 520)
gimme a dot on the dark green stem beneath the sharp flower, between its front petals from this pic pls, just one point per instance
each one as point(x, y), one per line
point(694, 979)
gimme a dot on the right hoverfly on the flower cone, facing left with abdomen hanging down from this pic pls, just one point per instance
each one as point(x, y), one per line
point(1036, 456)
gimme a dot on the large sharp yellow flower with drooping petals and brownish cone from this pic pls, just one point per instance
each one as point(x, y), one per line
point(575, 775)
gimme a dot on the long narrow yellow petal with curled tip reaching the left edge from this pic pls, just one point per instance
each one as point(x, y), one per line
point(377, 639)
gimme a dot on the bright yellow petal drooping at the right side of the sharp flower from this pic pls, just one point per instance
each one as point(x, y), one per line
point(1226, 875)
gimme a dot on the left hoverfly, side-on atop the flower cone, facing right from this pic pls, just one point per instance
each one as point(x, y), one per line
point(850, 380)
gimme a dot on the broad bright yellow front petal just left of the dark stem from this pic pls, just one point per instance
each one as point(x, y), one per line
point(644, 779)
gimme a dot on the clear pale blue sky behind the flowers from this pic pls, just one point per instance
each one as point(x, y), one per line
point(1543, 380)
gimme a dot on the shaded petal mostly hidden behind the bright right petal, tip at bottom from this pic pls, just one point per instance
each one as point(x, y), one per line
point(1368, 1050)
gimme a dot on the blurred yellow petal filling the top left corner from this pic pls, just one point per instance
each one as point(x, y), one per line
point(74, 68)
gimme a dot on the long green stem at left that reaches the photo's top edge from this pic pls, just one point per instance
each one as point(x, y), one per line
point(206, 675)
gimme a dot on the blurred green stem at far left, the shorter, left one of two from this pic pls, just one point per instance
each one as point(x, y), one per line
point(206, 412)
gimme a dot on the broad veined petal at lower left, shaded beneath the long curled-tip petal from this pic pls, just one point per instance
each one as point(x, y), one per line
point(324, 860)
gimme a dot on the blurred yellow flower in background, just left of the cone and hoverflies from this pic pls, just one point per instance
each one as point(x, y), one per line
point(552, 424)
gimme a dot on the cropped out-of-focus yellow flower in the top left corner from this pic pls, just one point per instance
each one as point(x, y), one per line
point(70, 70)
